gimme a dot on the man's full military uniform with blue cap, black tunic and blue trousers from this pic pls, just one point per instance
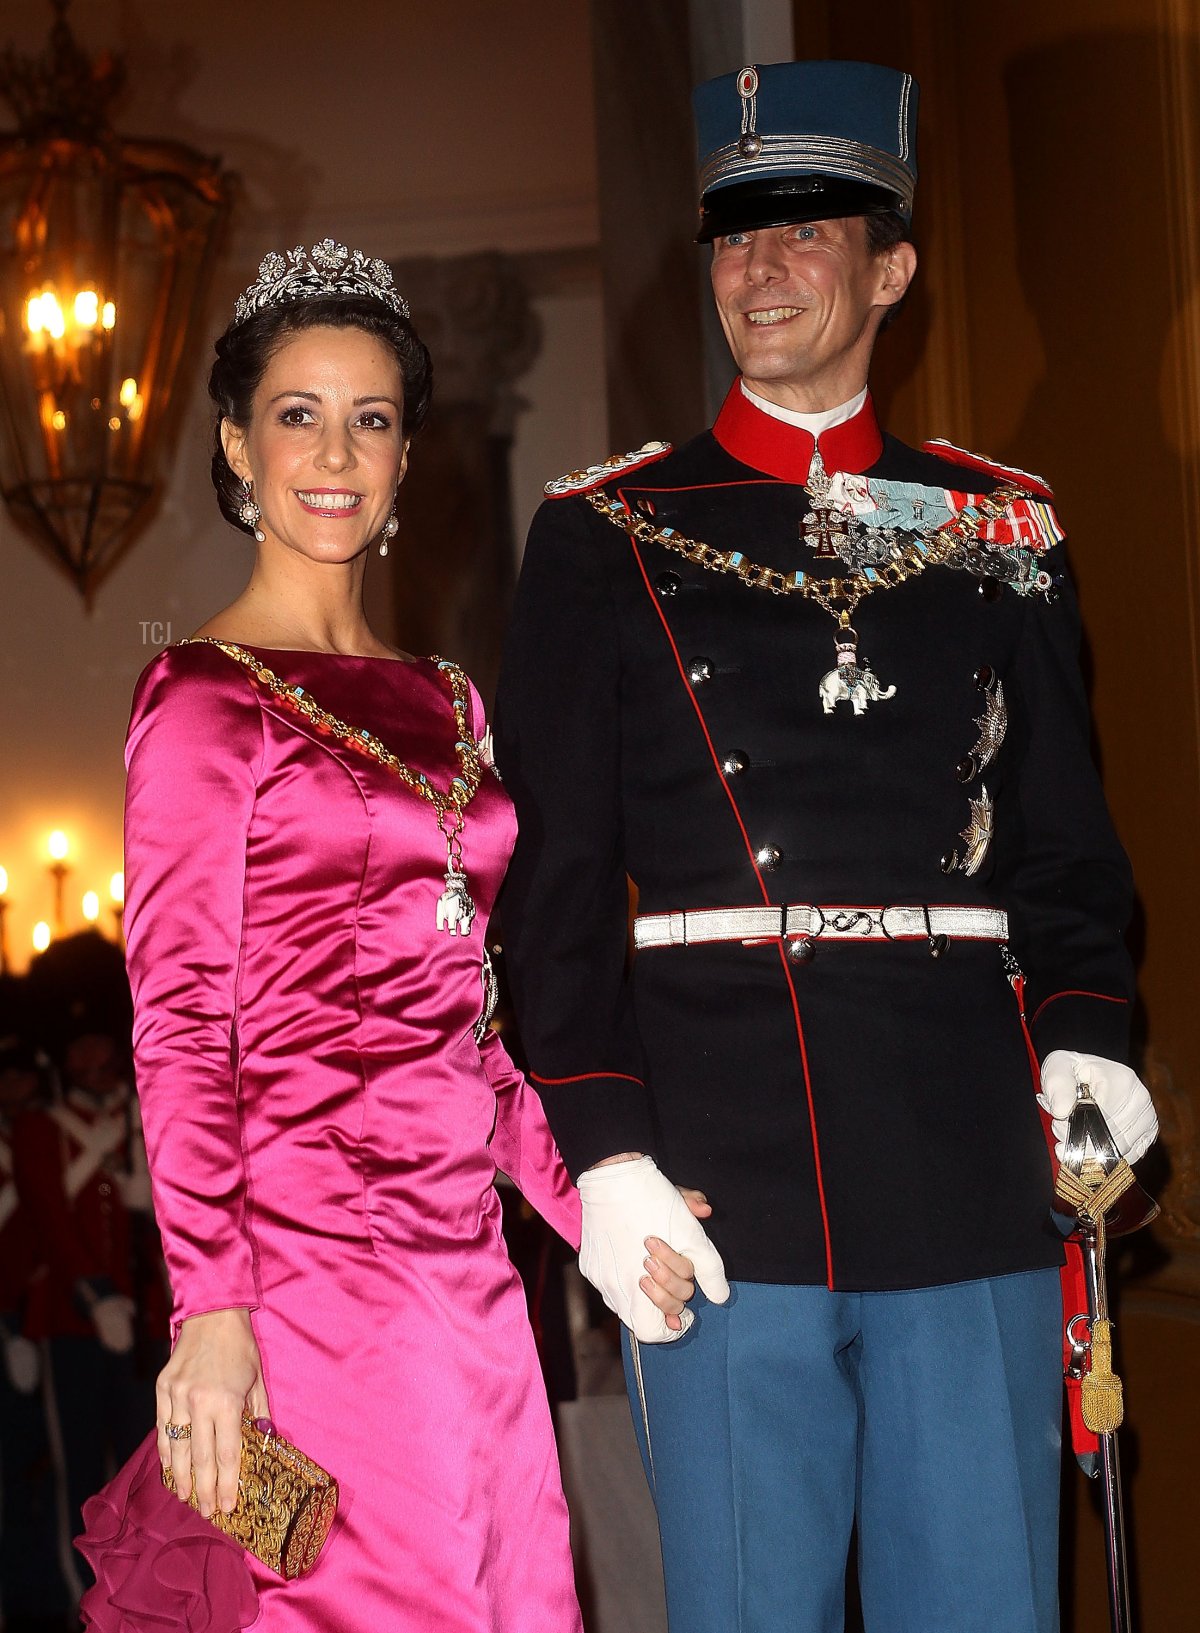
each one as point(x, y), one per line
point(817, 696)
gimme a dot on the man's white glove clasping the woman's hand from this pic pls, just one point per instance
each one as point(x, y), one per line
point(623, 1204)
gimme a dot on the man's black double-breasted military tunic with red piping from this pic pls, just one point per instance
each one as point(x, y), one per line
point(864, 1119)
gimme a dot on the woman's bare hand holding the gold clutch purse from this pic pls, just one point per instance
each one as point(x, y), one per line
point(213, 1376)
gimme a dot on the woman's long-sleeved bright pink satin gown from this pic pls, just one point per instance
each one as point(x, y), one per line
point(324, 1129)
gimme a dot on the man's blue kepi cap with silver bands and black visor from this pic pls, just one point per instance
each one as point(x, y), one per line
point(804, 141)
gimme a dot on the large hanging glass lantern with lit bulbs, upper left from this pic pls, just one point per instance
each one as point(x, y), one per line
point(105, 256)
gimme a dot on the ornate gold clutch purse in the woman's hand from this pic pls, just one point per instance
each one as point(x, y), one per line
point(285, 1502)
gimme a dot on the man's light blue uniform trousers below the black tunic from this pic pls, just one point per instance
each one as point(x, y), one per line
point(933, 1417)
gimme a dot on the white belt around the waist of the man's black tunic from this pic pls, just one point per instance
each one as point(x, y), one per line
point(696, 927)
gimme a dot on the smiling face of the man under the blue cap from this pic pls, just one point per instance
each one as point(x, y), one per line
point(802, 305)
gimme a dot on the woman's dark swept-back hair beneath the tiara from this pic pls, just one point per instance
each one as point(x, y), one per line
point(246, 350)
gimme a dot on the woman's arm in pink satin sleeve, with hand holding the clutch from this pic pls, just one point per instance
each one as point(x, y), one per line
point(195, 755)
